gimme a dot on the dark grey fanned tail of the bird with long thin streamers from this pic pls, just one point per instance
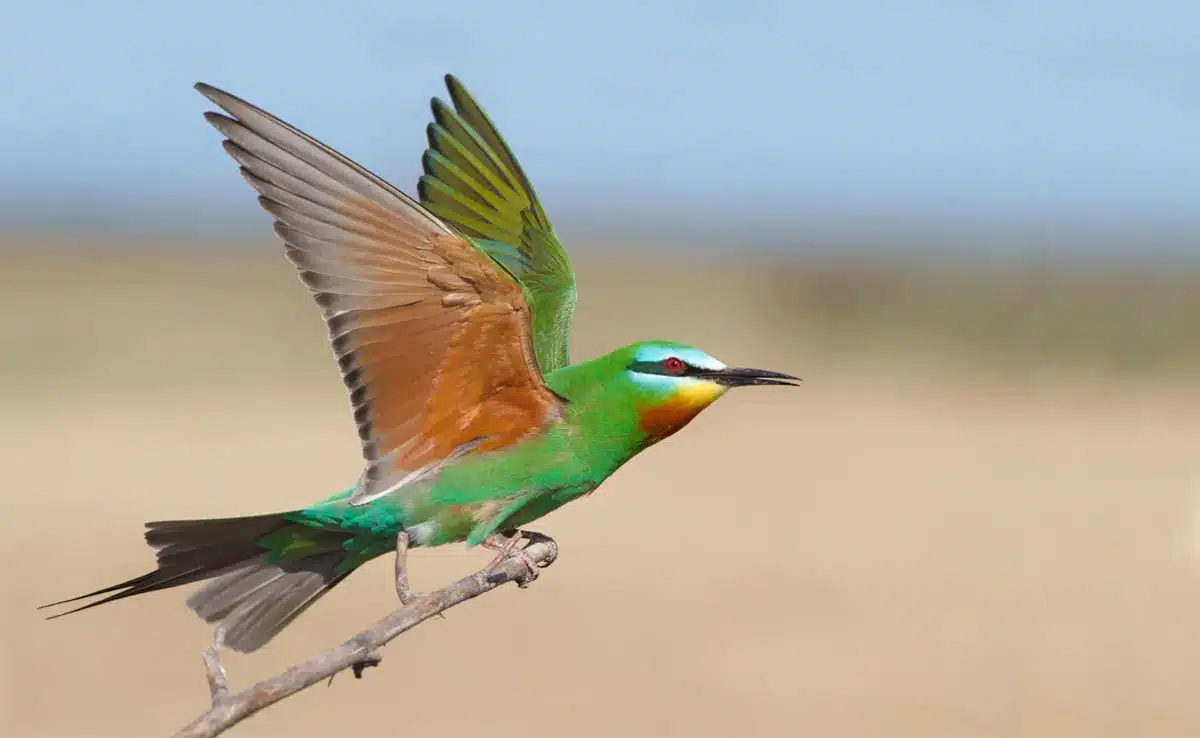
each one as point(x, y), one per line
point(266, 572)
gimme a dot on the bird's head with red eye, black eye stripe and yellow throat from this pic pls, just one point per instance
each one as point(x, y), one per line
point(673, 383)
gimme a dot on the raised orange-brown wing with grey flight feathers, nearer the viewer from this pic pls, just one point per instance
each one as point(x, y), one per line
point(434, 339)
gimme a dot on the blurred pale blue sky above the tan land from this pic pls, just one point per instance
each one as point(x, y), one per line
point(979, 111)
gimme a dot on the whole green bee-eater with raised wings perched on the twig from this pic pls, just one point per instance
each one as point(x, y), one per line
point(449, 316)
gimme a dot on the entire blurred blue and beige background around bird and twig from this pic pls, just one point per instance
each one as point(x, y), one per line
point(971, 227)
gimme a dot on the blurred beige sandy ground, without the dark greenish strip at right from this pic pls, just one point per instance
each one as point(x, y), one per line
point(901, 549)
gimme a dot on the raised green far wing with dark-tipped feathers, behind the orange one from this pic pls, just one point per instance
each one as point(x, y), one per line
point(475, 183)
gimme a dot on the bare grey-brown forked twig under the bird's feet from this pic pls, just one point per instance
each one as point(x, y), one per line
point(359, 652)
